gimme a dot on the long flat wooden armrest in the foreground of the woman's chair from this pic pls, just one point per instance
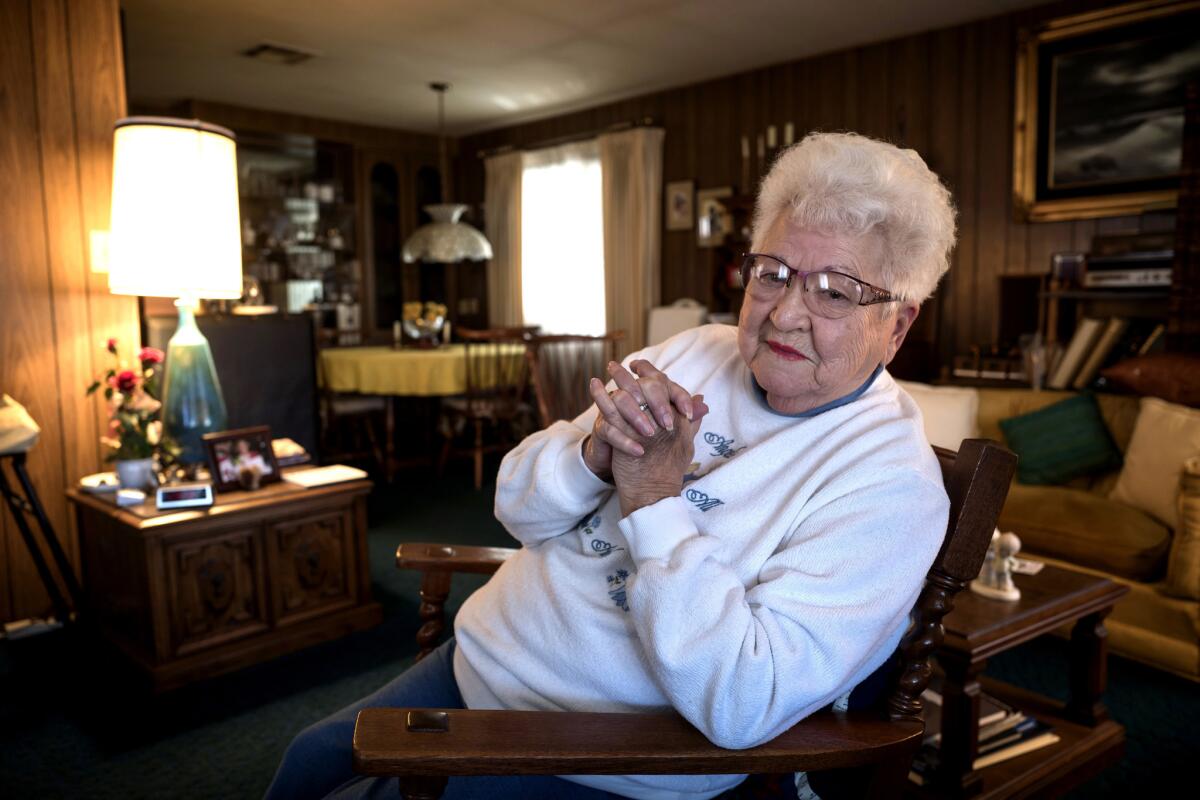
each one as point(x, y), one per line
point(555, 743)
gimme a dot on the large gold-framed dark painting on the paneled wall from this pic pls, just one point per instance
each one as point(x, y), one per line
point(1099, 125)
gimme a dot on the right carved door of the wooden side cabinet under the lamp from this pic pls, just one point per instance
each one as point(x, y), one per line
point(313, 566)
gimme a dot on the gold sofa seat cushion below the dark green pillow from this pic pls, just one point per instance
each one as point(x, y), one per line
point(1087, 530)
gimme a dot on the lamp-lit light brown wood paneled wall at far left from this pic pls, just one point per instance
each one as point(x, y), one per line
point(62, 88)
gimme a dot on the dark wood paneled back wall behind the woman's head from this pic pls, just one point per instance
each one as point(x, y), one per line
point(949, 94)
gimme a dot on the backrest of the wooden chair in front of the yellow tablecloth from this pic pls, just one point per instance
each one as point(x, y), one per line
point(497, 368)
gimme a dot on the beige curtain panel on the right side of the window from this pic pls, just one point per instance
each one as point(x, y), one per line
point(632, 166)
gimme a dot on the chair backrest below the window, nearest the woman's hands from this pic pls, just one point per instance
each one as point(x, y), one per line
point(562, 366)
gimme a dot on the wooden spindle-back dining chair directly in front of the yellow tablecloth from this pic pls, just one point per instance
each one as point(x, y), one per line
point(497, 395)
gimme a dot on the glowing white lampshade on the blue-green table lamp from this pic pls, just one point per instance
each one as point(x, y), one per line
point(176, 230)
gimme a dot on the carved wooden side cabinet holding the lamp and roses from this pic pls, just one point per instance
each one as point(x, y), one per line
point(196, 593)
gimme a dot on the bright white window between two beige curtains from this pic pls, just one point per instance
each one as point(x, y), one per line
point(562, 240)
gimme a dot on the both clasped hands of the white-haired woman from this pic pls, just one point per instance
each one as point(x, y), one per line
point(644, 436)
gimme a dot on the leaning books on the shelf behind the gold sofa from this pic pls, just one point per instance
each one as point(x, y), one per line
point(1100, 344)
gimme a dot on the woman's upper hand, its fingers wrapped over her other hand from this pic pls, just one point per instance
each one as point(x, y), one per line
point(622, 422)
